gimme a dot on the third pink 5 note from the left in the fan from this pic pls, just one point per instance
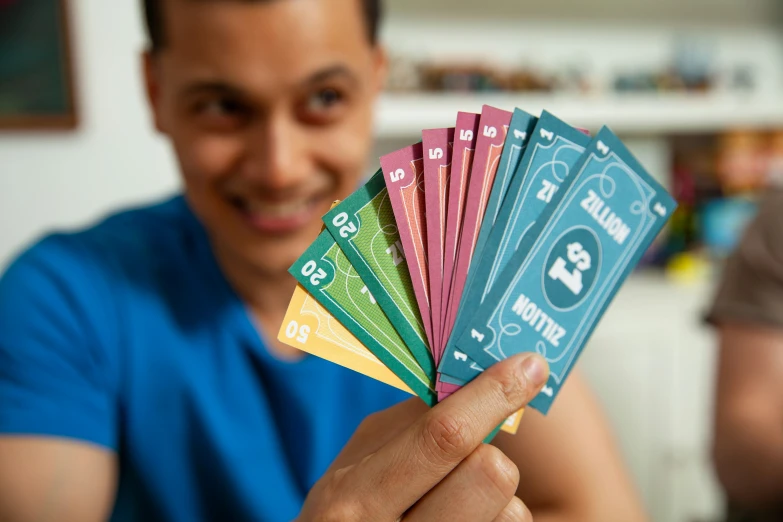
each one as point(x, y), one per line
point(464, 145)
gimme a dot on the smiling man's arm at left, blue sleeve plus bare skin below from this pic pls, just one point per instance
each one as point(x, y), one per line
point(58, 412)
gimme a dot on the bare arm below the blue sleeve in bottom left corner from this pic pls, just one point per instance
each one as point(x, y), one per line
point(48, 479)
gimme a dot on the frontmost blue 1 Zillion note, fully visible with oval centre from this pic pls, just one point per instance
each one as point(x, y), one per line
point(558, 284)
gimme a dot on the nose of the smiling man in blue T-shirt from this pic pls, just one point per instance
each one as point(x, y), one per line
point(277, 154)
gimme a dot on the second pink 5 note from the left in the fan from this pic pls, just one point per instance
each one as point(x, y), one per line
point(437, 145)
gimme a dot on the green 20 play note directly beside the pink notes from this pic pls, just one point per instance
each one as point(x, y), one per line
point(364, 227)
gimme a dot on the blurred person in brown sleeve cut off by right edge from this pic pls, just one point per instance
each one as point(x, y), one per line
point(748, 311)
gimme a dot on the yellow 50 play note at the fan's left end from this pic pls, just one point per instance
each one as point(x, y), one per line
point(311, 328)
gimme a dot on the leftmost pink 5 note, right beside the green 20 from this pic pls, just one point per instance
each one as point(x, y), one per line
point(403, 172)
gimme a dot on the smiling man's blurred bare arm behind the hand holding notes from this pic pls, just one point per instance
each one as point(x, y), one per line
point(568, 461)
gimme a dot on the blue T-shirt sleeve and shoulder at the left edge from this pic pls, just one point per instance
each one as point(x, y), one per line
point(62, 304)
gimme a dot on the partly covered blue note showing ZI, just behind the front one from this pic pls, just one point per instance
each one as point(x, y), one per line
point(553, 149)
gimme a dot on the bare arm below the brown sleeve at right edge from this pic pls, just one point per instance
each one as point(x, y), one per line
point(748, 440)
